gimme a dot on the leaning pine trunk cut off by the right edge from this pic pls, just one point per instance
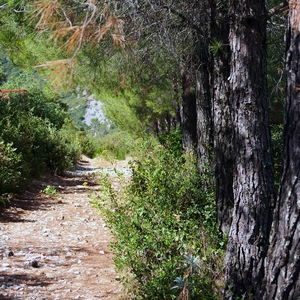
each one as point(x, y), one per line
point(283, 261)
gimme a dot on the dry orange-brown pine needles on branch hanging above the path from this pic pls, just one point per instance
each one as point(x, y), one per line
point(72, 26)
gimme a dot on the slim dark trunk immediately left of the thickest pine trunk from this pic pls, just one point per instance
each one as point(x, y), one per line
point(221, 111)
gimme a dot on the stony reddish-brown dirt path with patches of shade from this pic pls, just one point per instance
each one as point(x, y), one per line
point(56, 247)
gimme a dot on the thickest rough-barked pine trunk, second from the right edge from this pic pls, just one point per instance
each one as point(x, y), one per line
point(253, 171)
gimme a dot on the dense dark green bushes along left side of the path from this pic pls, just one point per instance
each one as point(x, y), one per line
point(35, 134)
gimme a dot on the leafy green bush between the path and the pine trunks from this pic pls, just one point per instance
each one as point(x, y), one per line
point(164, 224)
